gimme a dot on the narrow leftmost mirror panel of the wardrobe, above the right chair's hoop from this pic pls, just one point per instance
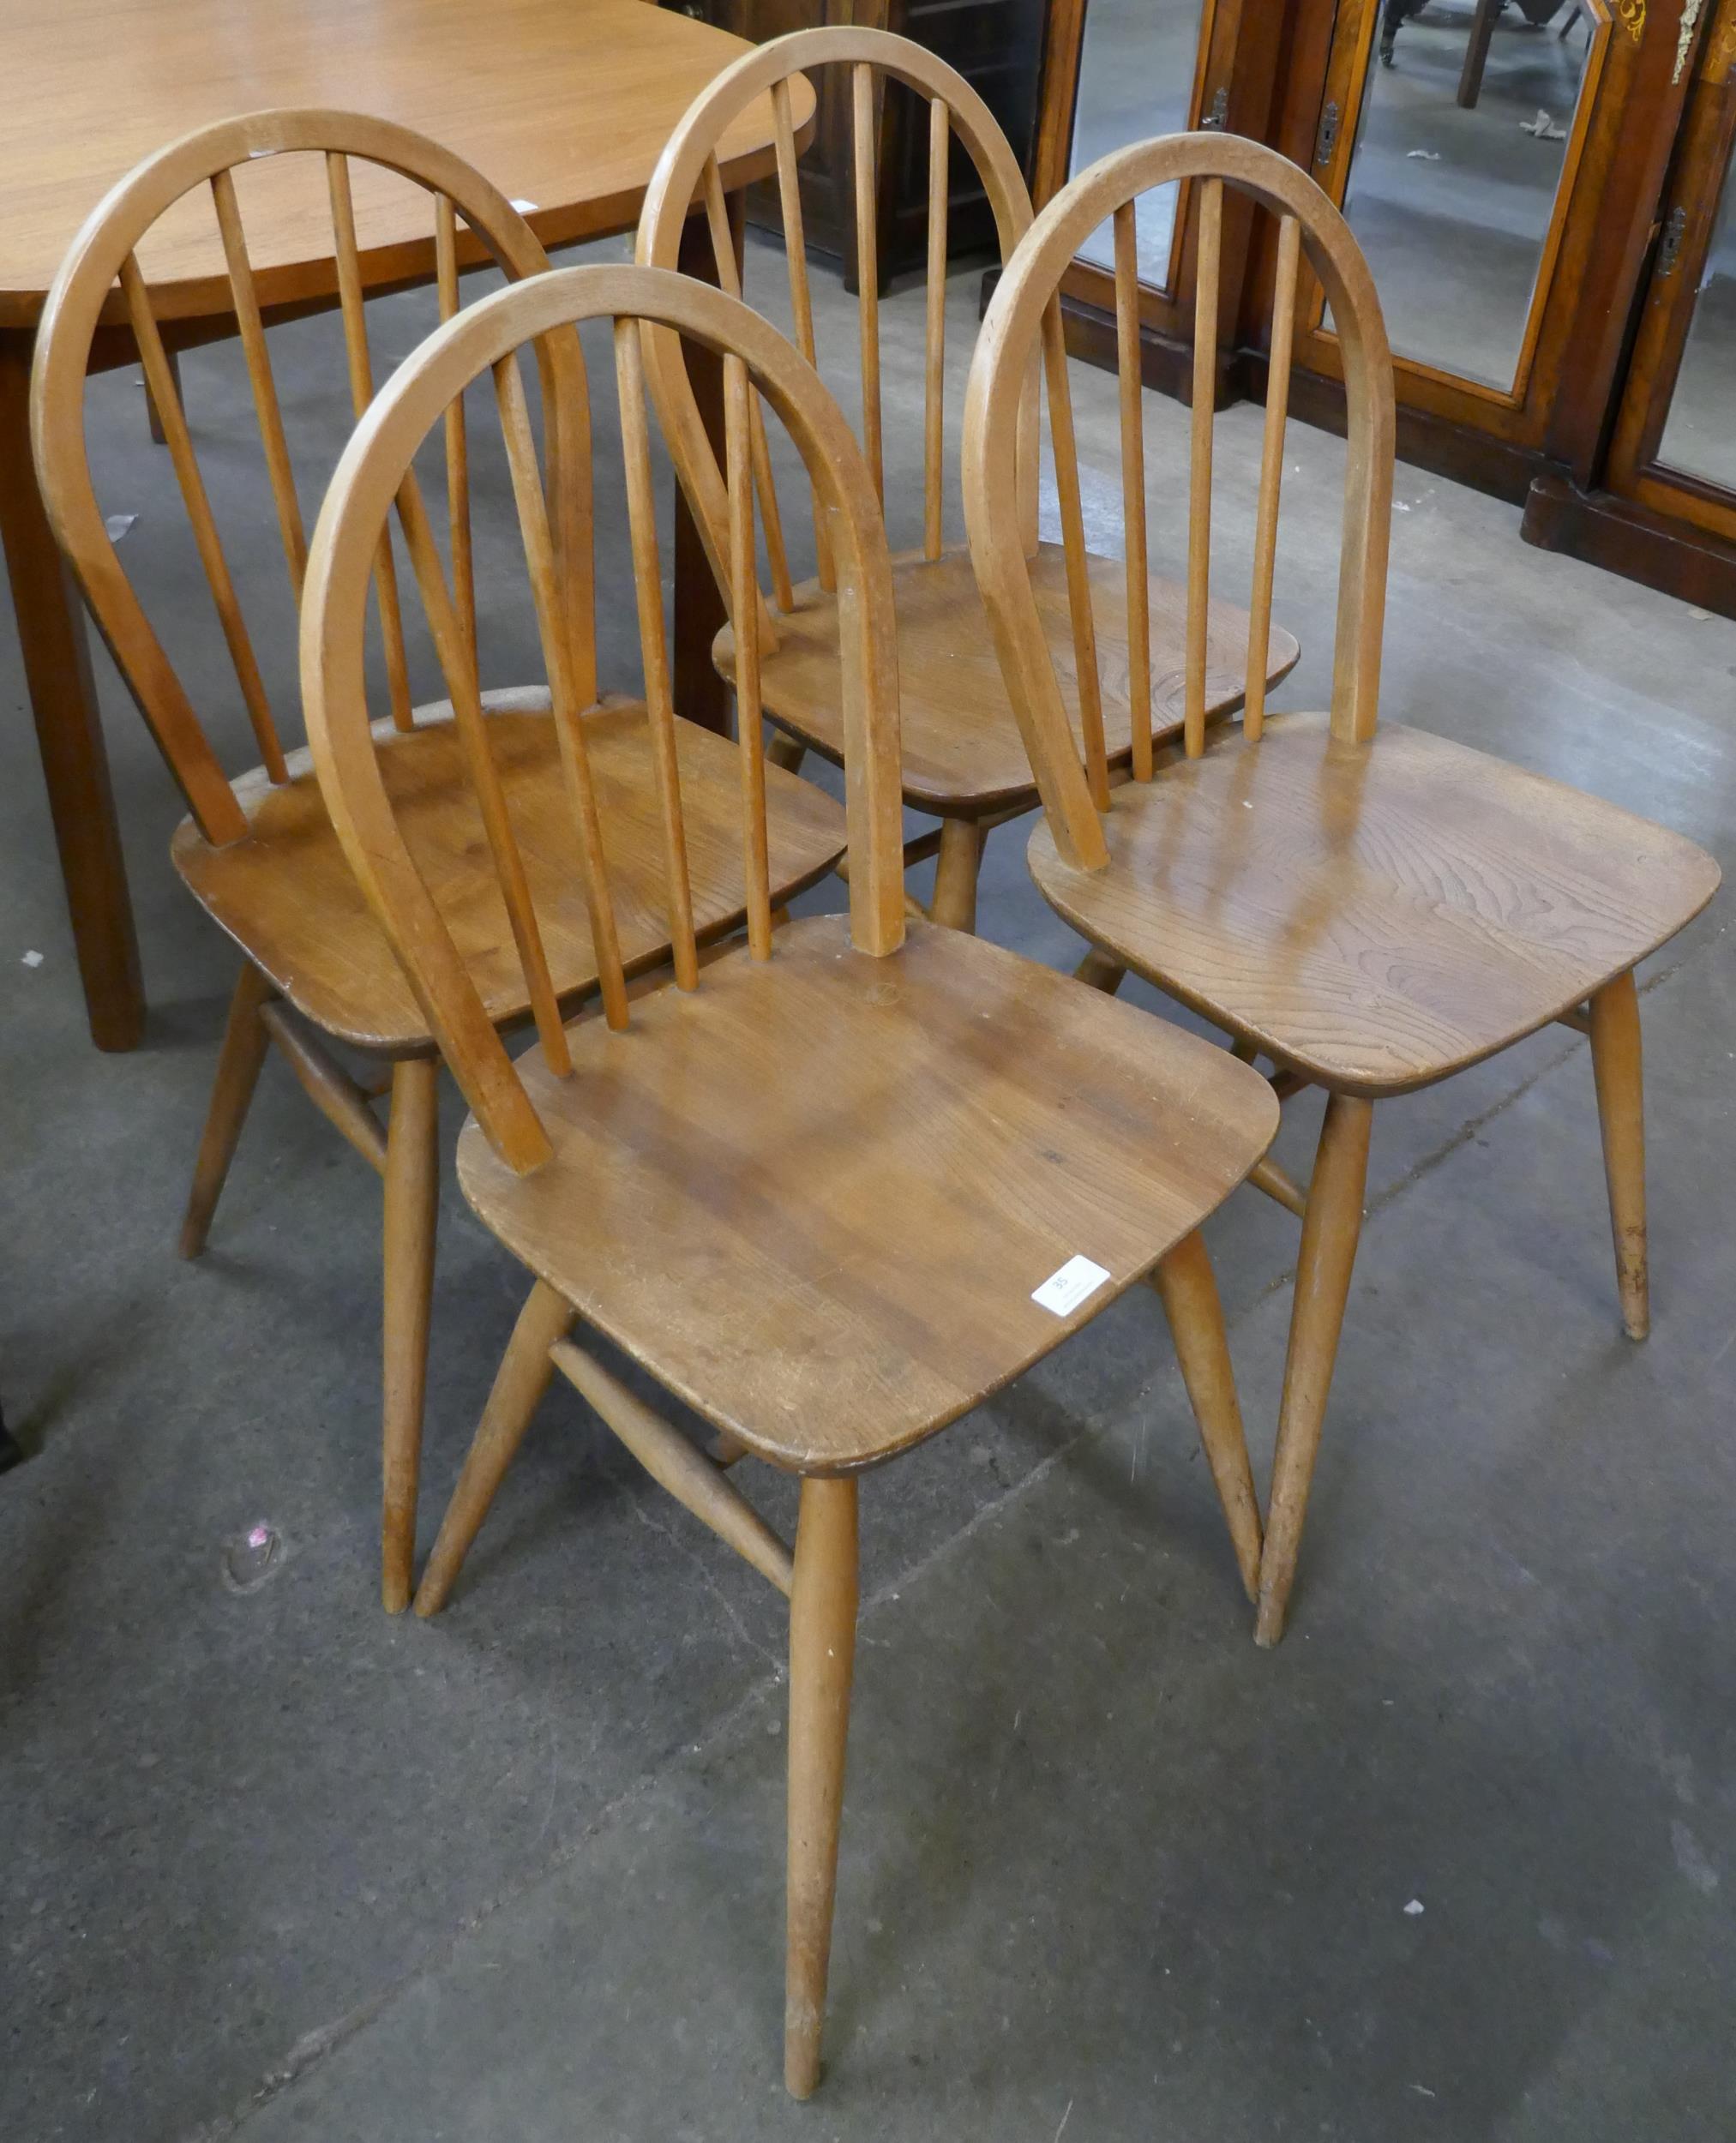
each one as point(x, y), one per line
point(1137, 76)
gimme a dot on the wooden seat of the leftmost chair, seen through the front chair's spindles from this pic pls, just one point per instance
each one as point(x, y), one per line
point(290, 901)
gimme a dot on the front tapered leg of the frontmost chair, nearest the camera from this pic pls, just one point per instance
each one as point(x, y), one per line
point(822, 1655)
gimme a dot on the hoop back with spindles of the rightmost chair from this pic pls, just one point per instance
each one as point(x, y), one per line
point(1017, 318)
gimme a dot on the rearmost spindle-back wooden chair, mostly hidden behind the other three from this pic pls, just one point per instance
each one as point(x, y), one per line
point(963, 758)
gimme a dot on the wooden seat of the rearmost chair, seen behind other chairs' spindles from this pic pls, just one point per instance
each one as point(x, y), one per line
point(961, 745)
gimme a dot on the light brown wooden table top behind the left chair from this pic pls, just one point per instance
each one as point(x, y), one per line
point(558, 102)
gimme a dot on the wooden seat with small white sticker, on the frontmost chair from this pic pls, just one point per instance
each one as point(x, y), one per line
point(813, 1197)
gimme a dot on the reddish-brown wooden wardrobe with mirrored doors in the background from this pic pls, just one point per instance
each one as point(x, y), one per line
point(1568, 408)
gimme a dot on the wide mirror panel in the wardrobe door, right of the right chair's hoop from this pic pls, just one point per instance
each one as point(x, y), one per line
point(1456, 181)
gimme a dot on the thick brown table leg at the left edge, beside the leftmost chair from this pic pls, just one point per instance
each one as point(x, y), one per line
point(70, 734)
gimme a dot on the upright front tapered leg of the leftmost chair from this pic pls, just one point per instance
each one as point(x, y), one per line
point(413, 1199)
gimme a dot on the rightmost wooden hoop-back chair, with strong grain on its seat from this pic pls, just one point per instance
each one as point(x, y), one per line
point(1371, 912)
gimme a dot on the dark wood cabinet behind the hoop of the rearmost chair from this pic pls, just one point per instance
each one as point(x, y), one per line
point(996, 46)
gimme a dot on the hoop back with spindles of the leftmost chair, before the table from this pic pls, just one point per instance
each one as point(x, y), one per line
point(85, 301)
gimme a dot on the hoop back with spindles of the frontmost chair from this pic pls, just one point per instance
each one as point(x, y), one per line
point(376, 475)
